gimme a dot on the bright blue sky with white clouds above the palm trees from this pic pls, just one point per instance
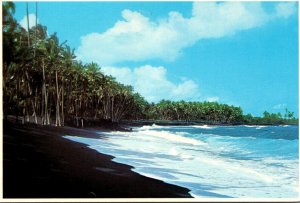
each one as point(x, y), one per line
point(244, 54)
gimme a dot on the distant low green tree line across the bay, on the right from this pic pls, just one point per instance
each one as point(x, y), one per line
point(213, 113)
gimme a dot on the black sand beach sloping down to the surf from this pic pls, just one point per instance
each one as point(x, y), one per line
point(39, 163)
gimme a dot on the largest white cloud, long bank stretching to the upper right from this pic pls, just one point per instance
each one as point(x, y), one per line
point(137, 38)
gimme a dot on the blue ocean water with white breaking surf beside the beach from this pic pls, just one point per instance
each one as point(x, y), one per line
point(212, 161)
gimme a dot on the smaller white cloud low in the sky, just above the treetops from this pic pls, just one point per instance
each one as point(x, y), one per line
point(152, 83)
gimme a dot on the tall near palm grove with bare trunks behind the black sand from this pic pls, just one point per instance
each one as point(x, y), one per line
point(42, 80)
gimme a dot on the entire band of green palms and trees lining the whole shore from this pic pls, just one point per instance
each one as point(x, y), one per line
point(43, 83)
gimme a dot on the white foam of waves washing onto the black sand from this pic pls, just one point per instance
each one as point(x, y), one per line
point(177, 159)
